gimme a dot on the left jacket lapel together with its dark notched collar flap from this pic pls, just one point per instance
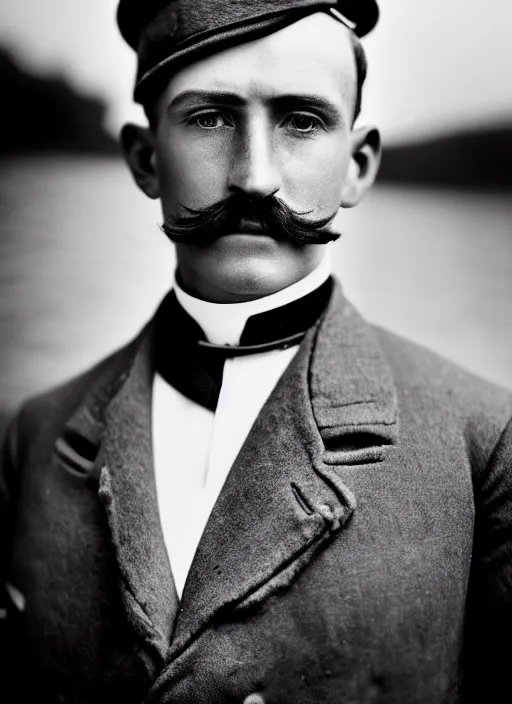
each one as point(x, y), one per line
point(116, 417)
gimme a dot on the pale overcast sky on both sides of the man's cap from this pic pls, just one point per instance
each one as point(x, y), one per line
point(434, 65)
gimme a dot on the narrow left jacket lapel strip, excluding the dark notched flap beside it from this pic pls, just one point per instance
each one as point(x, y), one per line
point(128, 492)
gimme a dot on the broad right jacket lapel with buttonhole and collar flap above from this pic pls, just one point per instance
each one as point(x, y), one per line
point(283, 498)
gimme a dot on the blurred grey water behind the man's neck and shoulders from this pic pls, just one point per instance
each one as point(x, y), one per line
point(83, 265)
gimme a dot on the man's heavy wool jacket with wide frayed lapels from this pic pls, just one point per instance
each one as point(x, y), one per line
point(360, 550)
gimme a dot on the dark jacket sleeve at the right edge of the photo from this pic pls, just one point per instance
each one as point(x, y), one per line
point(489, 604)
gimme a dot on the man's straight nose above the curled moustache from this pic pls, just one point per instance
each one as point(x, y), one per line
point(254, 170)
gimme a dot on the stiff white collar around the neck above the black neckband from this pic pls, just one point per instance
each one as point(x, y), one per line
point(223, 323)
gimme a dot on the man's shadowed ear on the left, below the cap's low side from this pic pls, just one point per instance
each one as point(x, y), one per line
point(138, 144)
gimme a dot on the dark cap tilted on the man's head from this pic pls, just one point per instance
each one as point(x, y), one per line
point(168, 34)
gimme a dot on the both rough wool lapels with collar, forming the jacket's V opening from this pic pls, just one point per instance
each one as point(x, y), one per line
point(335, 405)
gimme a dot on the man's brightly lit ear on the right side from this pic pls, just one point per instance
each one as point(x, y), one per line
point(364, 165)
